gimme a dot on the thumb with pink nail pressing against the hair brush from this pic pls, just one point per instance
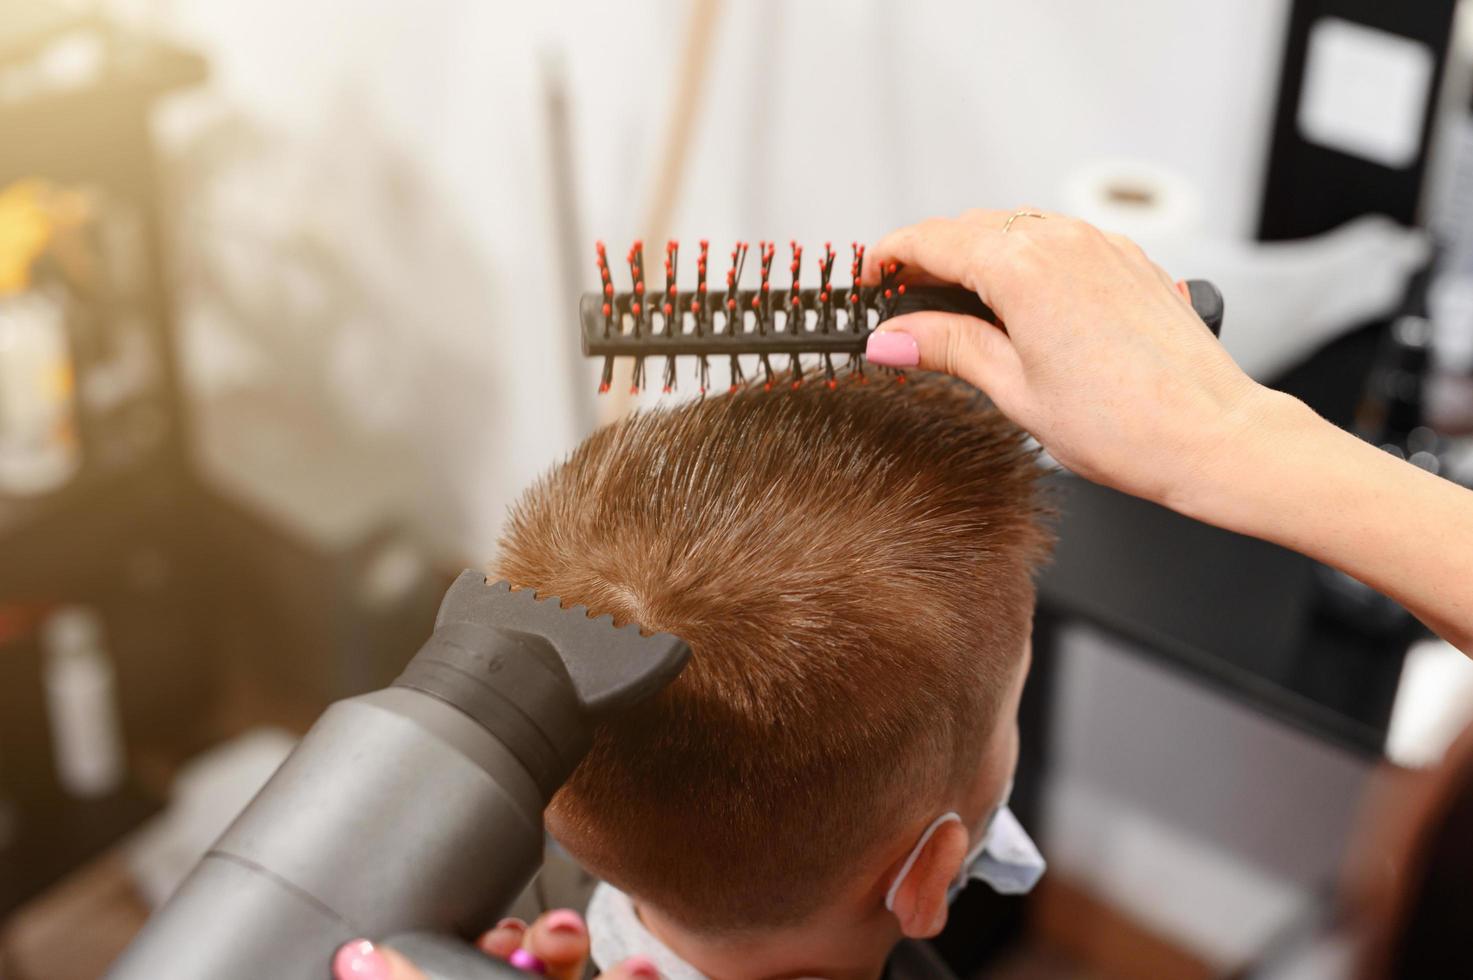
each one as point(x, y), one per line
point(951, 343)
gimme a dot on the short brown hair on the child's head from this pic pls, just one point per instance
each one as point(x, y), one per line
point(852, 571)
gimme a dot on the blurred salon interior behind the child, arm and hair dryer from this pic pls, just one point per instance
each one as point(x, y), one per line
point(288, 303)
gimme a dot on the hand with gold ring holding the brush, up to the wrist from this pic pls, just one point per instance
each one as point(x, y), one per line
point(1103, 360)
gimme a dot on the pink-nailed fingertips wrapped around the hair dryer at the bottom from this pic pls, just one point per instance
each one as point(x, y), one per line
point(556, 945)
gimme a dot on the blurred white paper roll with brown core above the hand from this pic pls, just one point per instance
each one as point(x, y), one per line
point(1136, 200)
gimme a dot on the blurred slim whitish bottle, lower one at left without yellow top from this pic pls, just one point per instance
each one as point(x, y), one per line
point(82, 704)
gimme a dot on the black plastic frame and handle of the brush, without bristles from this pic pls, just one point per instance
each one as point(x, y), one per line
point(840, 326)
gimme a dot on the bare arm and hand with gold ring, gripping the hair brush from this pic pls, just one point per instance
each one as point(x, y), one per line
point(1108, 366)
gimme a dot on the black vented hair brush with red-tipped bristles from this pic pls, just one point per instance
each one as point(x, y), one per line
point(770, 322)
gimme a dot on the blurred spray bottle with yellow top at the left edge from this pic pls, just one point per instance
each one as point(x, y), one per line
point(39, 446)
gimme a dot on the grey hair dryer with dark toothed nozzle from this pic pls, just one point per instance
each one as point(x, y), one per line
point(412, 816)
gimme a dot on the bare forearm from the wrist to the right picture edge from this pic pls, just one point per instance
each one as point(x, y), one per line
point(1298, 481)
